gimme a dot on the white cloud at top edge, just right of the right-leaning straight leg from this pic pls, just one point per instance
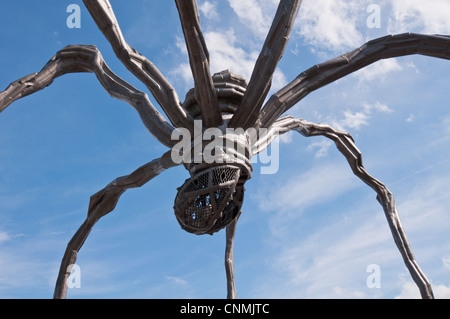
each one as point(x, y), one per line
point(331, 25)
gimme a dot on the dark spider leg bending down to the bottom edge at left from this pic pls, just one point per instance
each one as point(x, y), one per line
point(100, 204)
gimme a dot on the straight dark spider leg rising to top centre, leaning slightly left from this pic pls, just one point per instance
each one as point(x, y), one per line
point(205, 94)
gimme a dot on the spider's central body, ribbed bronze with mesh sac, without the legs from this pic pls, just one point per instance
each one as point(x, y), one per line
point(212, 197)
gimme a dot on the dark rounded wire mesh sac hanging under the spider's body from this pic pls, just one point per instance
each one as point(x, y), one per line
point(209, 200)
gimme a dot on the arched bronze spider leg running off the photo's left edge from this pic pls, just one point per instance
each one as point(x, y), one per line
point(87, 58)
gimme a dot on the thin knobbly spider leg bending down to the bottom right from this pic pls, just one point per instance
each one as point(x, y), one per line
point(347, 147)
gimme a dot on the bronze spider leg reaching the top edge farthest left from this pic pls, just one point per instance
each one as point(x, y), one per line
point(103, 15)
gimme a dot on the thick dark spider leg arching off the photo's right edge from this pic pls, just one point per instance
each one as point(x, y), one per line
point(437, 46)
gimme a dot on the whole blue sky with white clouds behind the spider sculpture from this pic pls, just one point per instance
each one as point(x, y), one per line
point(308, 231)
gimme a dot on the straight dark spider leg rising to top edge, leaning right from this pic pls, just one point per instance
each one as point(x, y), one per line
point(271, 53)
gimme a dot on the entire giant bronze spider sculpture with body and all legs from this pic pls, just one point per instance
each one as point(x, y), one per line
point(211, 199)
